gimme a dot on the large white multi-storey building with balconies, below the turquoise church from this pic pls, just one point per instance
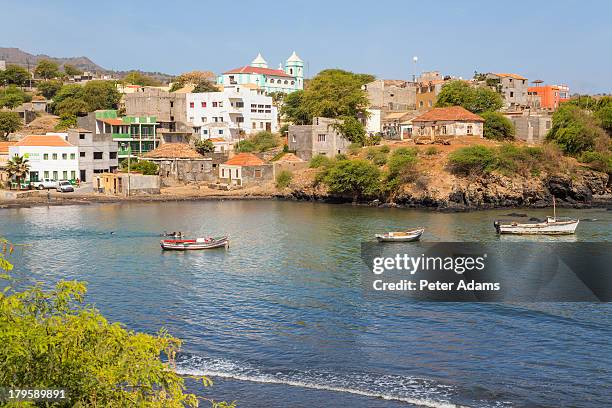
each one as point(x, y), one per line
point(224, 114)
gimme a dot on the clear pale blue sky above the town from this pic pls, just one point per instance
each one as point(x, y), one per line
point(560, 42)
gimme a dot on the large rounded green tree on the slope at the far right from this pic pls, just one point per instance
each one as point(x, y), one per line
point(576, 131)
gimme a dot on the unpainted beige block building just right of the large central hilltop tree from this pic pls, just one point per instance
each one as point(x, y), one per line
point(390, 95)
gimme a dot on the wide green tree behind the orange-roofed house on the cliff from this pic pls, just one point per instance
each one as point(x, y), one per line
point(474, 99)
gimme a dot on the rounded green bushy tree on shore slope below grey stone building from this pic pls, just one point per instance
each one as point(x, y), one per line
point(358, 178)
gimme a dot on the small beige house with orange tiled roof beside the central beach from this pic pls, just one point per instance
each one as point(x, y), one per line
point(246, 169)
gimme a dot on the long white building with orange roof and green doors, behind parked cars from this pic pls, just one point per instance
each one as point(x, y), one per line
point(49, 157)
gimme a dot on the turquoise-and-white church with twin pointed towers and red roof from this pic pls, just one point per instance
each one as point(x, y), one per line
point(284, 79)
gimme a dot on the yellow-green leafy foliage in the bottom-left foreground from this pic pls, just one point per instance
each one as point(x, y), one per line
point(53, 340)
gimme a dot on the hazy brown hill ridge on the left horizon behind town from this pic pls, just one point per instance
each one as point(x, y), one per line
point(27, 60)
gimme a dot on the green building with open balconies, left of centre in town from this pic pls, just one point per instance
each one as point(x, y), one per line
point(134, 135)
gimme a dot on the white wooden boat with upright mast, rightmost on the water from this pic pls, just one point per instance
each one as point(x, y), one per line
point(551, 226)
